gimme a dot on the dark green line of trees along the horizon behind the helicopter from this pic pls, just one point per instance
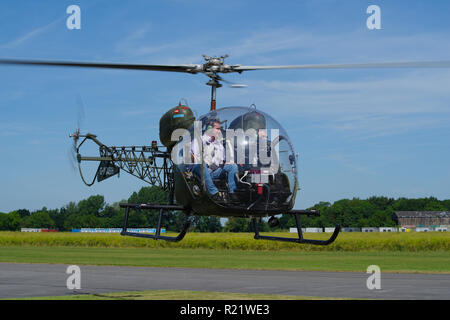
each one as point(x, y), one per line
point(94, 212)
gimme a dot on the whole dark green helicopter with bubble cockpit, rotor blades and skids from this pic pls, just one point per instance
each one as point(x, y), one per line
point(230, 162)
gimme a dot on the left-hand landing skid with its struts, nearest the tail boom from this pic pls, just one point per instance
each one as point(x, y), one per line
point(157, 235)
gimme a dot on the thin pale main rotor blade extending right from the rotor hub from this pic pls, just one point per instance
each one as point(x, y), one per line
point(417, 64)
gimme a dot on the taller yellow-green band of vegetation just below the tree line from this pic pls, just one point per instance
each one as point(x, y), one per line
point(355, 242)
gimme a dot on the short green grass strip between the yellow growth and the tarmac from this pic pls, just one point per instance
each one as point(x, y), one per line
point(413, 262)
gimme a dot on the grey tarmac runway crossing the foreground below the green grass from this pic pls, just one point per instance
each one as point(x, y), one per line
point(37, 280)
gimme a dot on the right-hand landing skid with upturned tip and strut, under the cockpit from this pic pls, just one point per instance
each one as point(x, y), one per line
point(300, 238)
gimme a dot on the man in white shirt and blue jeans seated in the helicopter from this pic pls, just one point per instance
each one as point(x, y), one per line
point(214, 162)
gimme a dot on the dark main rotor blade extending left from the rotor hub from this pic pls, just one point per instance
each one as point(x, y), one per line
point(173, 68)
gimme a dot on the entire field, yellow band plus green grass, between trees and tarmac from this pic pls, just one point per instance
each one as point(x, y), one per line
point(393, 252)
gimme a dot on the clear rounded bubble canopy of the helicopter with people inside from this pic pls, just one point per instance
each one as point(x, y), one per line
point(239, 157)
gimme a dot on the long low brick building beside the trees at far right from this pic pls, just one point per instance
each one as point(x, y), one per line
point(422, 218)
